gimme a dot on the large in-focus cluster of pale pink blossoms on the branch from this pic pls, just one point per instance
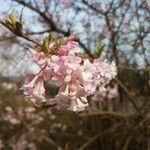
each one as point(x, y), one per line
point(77, 77)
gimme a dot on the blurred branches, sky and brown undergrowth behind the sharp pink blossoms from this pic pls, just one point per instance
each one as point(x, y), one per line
point(116, 120)
